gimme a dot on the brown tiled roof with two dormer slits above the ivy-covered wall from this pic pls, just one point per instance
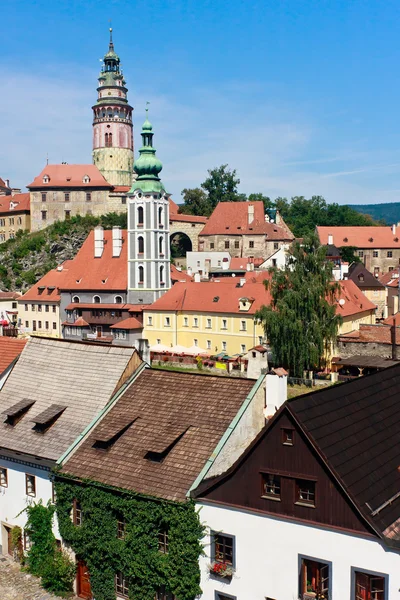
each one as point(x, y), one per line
point(194, 413)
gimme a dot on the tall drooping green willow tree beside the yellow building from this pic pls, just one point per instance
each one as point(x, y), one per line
point(301, 324)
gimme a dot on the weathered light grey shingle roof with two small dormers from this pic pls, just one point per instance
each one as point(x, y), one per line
point(81, 377)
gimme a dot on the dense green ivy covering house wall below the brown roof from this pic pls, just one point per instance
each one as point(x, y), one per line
point(137, 555)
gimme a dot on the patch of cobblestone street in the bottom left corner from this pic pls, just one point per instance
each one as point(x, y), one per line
point(15, 585)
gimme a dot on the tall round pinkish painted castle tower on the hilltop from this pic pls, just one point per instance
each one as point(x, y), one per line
point(112, 123)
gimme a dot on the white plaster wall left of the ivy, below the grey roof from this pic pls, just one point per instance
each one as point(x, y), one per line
point(13, 499)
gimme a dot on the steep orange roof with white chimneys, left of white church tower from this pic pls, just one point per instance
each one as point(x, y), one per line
point(88, 273)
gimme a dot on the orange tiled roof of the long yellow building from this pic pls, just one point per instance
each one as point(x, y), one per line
point(212, 297)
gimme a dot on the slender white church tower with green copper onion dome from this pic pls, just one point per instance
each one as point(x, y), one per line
point(148, 227)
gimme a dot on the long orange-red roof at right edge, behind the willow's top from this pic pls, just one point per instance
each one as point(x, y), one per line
point(360, 237)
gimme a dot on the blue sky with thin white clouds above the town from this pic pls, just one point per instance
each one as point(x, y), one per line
point(300, 96)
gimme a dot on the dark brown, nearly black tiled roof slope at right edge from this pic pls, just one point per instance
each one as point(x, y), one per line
point(356, 426)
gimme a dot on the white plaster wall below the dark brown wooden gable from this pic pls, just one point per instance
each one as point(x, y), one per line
point(267, 551)
